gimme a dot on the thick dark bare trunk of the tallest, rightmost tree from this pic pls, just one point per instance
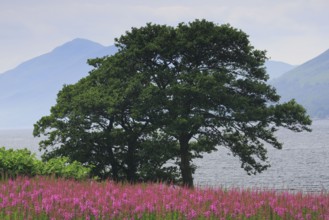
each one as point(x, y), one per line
point(185, 165)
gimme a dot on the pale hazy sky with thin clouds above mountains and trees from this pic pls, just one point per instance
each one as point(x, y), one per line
point(292, 31)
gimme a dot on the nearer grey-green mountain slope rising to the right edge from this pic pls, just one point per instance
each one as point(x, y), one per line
point(308, 84)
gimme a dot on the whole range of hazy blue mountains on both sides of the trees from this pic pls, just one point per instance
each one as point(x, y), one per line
point(28, 91)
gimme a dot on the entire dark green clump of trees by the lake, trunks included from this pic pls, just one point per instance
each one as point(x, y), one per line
point(167, 96)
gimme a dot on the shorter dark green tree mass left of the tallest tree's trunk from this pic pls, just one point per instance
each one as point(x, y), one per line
point(94, 122)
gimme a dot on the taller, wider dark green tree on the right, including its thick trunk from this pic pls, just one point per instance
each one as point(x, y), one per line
point(211, 88)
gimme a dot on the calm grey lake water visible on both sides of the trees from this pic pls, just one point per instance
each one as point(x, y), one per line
point(302, 164)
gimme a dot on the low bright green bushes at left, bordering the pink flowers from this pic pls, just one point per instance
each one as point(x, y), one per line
point(21, 162)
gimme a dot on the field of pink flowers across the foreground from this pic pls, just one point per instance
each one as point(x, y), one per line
point(50, 198)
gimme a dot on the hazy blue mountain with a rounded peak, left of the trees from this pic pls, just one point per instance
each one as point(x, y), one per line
point(28, 91)
